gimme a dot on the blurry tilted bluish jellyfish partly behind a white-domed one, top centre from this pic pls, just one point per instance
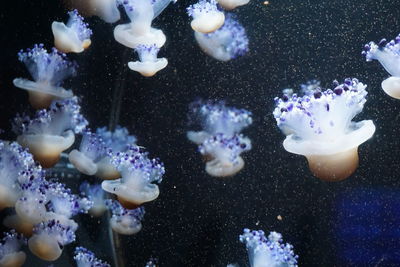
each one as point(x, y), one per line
point(228, 42)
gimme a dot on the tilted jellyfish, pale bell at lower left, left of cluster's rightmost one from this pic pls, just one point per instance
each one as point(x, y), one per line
point(92, 150)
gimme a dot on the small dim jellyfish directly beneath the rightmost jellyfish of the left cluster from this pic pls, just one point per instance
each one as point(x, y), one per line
point(125, 221)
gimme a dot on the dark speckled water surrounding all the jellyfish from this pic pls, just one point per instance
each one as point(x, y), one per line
point(197, 219)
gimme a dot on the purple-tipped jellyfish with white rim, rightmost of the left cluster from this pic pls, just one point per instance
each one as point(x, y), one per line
point(139, 173)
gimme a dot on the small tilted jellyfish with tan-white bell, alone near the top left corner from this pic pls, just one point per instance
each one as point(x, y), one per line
point(73, 37)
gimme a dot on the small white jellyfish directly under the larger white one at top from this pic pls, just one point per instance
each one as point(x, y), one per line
point(149, 64)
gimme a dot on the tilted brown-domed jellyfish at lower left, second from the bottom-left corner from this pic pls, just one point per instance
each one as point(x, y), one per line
point(49, 238)
